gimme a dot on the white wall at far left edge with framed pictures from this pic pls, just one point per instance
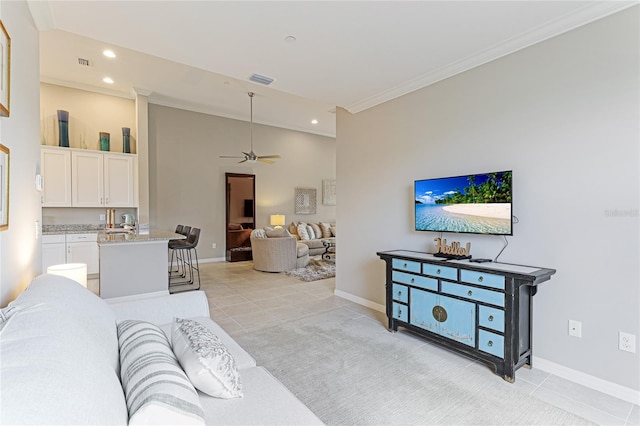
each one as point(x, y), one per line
point(19, 249)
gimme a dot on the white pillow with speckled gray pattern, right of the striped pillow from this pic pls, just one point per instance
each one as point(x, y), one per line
point(206, 360)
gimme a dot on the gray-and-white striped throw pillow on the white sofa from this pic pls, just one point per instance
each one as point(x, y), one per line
point(156, 389)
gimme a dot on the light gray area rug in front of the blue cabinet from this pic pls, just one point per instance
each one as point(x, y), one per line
point(349, 370)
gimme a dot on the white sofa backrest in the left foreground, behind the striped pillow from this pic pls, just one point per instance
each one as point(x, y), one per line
point(57, 349)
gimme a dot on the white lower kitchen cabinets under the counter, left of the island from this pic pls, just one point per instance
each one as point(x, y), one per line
point(71, 248)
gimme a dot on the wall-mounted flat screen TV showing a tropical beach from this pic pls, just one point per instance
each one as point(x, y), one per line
point(475, 204)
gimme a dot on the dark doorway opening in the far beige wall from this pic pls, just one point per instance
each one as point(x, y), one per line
point(240, 215)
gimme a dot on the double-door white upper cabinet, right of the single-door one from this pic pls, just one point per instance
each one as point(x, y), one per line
point(101, 179)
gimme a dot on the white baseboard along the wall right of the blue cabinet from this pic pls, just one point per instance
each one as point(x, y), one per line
point(604, 386)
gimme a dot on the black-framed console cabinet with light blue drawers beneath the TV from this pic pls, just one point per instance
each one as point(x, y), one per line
point(483, 310)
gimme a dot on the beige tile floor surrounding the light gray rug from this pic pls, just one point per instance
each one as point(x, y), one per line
point(242, 300)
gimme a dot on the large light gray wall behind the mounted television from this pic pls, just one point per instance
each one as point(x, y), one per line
point(563, 115)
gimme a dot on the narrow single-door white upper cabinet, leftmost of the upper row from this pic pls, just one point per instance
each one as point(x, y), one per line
point(56, 172)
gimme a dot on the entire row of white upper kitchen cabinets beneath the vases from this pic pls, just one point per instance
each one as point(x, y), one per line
point(82, 178)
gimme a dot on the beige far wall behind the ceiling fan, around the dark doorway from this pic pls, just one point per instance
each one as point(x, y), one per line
point(187, 176)
